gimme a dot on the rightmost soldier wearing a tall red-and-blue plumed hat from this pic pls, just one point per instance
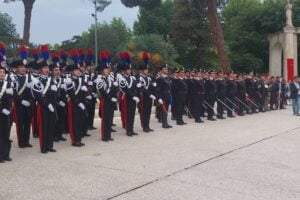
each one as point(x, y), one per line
point(146, 94)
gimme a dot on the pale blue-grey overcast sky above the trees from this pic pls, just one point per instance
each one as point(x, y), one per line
point(54, 21)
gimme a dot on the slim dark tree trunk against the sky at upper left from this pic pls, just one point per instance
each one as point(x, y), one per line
point(28, 5)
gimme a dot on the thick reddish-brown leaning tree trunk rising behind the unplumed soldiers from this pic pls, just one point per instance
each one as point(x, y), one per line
point(217, 31)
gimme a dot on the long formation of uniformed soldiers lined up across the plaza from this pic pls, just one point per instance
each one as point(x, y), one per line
point(50, 100)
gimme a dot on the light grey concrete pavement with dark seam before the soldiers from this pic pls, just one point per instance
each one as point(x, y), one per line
point(251, 157)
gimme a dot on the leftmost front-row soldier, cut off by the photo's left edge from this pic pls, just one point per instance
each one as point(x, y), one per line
point(6, 94)
